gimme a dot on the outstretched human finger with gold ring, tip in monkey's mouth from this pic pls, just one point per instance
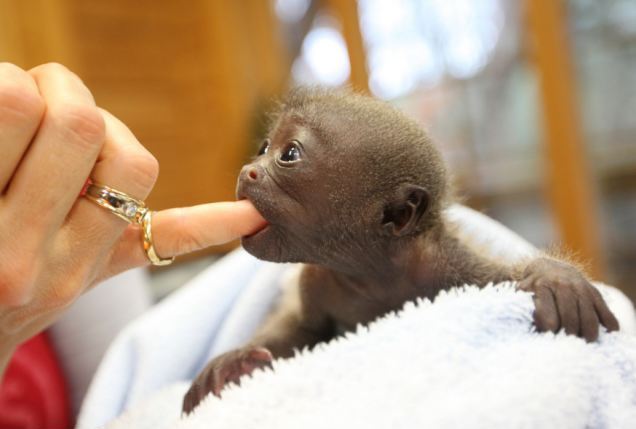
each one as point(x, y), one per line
point(183, 230)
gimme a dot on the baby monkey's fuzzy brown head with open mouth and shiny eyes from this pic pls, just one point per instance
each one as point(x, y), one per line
point(343, 180)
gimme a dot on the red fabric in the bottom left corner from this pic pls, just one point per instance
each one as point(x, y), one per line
point(33, 392)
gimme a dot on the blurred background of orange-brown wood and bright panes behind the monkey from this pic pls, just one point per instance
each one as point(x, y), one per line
point(532, 102)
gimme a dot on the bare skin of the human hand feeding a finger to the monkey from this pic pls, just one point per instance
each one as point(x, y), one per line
point(53, 245)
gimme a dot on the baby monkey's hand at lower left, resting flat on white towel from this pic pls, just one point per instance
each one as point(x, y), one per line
point(226, 368)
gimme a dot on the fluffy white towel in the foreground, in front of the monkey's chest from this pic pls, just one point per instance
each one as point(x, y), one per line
point(468, 360)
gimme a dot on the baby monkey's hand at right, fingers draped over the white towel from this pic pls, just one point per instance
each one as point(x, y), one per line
point(564, 298)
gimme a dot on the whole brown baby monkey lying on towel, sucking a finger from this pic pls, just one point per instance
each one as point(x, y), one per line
point(356, 191)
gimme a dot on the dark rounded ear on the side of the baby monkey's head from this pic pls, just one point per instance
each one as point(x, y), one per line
point(403, 214)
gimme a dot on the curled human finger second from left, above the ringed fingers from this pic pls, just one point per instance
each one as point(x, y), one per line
point(62, 154)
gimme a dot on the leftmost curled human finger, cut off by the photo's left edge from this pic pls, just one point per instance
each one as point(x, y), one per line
point(21, 109)
